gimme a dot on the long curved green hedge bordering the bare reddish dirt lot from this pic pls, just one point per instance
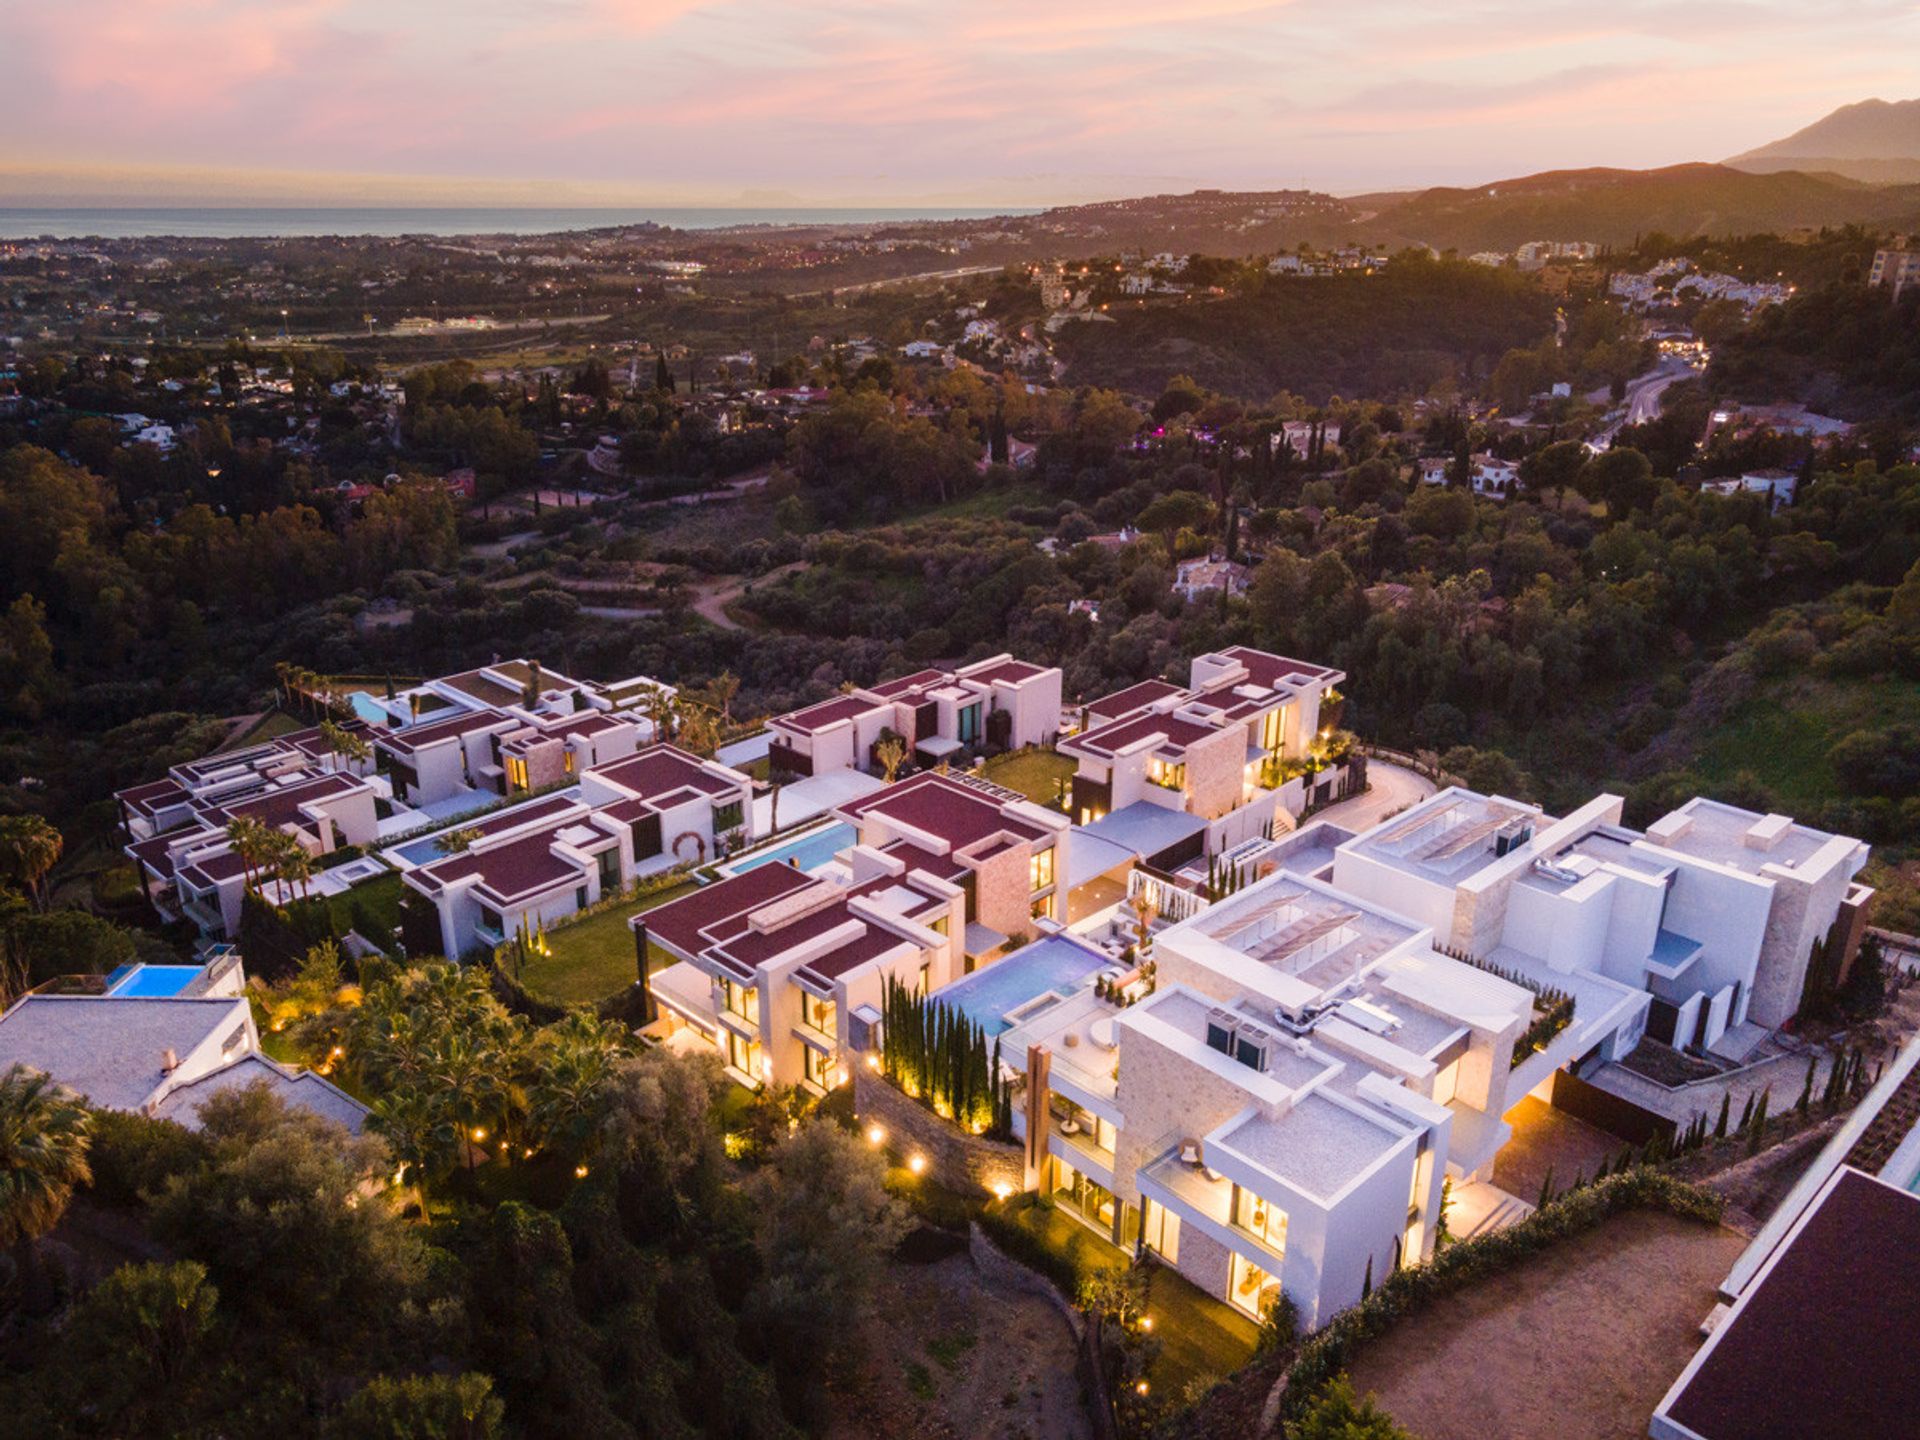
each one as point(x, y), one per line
point(1330, 1351)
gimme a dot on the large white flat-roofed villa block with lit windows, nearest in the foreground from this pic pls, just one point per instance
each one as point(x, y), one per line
point(1272, 1093)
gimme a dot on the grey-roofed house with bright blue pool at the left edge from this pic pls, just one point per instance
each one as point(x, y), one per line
point(158, 1042)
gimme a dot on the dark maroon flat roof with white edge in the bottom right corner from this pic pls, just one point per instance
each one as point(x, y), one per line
point(1821, 1345)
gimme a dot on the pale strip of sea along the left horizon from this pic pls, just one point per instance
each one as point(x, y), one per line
point(268, 222)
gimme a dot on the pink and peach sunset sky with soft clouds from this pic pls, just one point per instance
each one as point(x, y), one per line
point(836, 103)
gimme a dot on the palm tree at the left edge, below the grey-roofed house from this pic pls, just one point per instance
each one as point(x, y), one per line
point(43, 1159)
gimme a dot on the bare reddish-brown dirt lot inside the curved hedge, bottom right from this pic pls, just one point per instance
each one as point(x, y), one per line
point(1579, 1343)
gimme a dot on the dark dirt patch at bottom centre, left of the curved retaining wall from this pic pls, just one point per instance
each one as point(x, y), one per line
point(951, 1356)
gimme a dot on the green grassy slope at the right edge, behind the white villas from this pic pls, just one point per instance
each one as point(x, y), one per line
point(1787, 731)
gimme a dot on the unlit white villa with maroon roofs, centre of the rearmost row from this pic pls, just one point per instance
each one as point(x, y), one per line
point(936, 713)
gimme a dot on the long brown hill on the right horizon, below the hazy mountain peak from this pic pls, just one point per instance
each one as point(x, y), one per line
point(1612, 206)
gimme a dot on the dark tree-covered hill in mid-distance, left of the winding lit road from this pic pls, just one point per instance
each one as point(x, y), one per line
point(1378, 335)
